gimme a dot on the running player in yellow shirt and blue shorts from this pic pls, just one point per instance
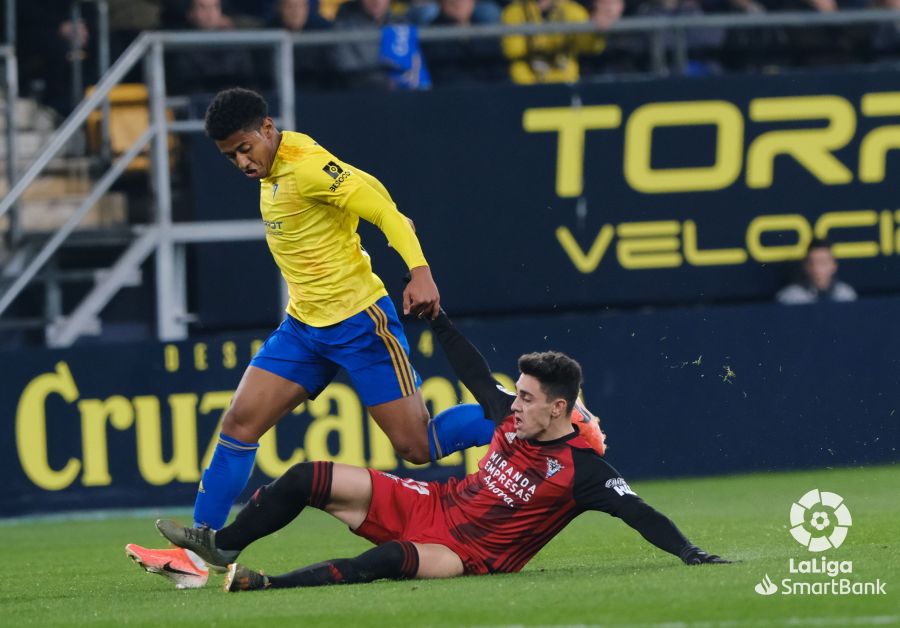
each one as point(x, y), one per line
point(338, 316)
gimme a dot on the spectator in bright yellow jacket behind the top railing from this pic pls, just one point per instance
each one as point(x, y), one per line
point(549, 58)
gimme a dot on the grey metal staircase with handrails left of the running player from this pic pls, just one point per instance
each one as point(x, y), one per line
point(31, 258)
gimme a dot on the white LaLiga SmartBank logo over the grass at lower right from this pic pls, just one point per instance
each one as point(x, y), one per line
point(819, 522)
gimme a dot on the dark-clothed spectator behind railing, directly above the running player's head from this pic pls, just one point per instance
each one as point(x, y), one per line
point(206, 70)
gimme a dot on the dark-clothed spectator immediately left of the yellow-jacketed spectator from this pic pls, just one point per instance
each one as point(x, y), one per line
point(462, 60)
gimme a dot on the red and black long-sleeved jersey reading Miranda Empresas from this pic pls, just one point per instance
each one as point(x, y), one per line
point(526, 491)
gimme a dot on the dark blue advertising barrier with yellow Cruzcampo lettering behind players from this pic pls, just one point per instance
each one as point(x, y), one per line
point(680, 392)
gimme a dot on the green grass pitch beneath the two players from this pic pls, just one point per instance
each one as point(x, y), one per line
point(598, 571)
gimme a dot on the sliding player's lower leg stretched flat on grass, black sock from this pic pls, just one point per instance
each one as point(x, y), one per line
point(395, 560)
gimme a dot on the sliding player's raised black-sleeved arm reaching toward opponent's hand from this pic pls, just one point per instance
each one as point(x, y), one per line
point(472, 369)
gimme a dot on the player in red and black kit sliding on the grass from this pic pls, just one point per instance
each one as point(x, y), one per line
point(538, 475)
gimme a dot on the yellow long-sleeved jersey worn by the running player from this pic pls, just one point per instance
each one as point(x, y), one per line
point(311, 204)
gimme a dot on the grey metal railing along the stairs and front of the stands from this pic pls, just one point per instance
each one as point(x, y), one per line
point(167, 240)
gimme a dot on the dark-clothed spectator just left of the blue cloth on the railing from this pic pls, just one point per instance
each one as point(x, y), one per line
point(359, 64)
